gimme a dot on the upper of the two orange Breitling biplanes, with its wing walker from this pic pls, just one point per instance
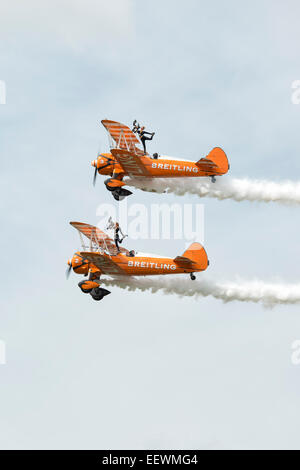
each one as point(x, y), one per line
point(126, 159)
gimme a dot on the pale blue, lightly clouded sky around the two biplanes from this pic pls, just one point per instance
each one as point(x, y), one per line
point(140, 370)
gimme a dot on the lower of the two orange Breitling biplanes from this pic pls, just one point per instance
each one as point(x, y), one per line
point(101, 257)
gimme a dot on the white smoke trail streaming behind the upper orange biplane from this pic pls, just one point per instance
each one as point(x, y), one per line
point(225, 188)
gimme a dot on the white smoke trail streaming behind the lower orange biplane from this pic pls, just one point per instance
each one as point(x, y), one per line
point(268, 294)
